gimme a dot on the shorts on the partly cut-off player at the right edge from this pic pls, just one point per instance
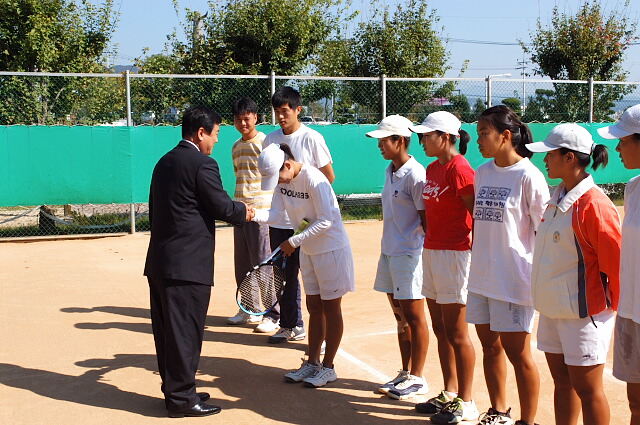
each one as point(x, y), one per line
point(626, 350)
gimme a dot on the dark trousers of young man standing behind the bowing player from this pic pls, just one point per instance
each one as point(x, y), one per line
point(290, 303)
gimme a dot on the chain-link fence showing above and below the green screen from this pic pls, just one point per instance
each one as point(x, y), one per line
point(142, 99)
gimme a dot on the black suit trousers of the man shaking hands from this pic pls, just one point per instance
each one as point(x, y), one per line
point(178, 315)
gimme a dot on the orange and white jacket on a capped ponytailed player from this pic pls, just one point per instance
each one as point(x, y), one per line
point(576, 259)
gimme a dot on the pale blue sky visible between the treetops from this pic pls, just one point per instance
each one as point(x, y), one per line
point(146, 23)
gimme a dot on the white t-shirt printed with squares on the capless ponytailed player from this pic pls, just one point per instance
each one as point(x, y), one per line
point(509, 204)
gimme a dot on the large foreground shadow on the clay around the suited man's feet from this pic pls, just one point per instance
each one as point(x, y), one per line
point(272, 399)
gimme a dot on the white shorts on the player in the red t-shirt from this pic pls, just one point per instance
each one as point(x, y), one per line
point(445, 275)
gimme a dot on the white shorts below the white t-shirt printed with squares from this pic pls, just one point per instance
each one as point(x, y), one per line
point(502, 316)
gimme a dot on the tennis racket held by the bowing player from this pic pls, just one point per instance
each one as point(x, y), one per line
point(263, 286)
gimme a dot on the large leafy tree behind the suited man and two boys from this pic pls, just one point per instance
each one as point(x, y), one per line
point(253, 37)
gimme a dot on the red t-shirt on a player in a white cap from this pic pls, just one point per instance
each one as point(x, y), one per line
point(448, 220)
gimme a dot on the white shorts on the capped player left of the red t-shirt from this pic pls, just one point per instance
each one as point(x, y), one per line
point(400, 276)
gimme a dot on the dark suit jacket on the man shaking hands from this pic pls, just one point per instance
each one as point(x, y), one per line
point(186, 198)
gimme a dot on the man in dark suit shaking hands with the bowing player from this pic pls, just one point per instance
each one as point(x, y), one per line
point(186, 198)
